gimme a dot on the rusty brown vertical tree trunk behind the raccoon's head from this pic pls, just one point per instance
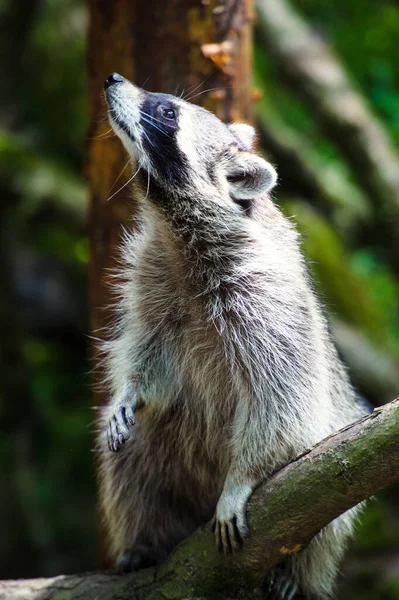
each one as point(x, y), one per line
point(200, 47)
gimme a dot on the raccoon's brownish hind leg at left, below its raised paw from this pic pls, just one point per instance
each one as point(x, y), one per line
point(144, 512)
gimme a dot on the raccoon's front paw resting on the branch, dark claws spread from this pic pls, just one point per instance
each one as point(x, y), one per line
point(230, 521)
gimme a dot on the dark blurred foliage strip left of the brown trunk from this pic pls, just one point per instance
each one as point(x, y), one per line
point(52, 507)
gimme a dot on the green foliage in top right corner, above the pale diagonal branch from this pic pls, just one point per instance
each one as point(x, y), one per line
point(364, 34)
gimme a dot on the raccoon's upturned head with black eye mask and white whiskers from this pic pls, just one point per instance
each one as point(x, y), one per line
point(186, 149)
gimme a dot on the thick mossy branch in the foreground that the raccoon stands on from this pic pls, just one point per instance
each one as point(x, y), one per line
point(345, 469)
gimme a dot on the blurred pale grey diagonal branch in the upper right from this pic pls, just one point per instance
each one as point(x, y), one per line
point(313, 72)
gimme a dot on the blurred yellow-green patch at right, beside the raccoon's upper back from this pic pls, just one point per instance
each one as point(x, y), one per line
point(363, 292)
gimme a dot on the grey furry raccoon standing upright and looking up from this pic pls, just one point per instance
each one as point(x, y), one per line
point(220, 351)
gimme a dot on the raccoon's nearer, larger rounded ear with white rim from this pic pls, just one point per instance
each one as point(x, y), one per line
point(250, 175)
